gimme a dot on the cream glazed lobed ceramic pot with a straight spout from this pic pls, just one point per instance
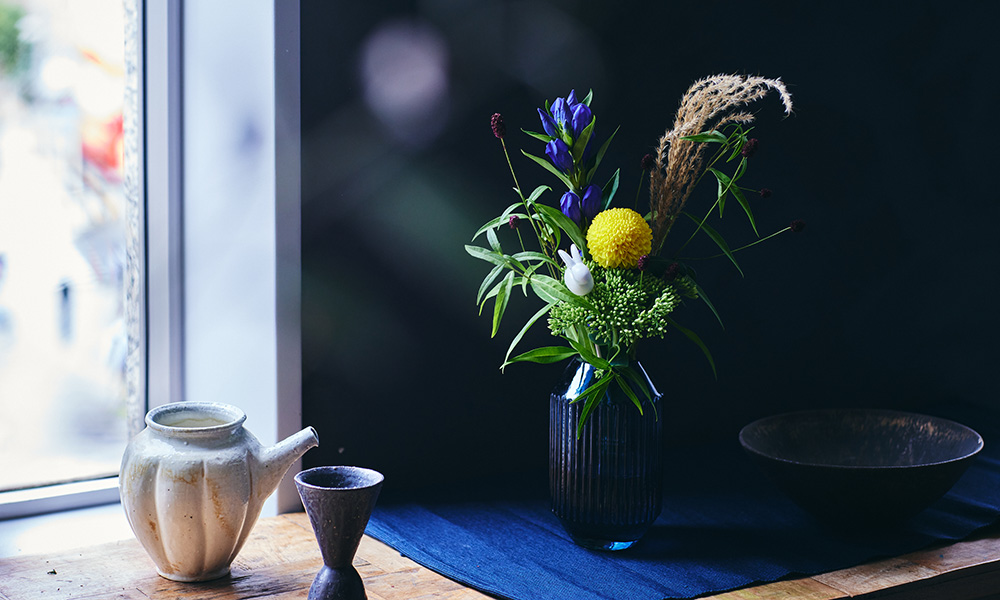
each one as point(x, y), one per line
point(193, 483)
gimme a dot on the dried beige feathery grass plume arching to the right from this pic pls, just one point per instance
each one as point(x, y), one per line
point(679, 162)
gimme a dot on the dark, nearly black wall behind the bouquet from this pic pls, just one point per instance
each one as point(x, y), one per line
point(886, 299)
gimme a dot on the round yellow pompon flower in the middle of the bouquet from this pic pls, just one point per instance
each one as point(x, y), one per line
point(618, 237)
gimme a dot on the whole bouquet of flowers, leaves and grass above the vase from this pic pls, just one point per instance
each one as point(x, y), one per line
point(603, 273)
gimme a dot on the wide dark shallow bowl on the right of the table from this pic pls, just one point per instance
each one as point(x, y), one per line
point(861, 467)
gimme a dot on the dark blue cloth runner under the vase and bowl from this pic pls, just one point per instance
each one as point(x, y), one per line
point(723, 526)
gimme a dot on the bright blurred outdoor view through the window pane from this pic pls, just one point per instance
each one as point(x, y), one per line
point(62, 232)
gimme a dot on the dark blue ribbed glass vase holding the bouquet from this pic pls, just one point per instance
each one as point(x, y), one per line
point(606, 484)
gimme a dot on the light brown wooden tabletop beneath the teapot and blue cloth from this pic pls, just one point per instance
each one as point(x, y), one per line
point(281, 558)
